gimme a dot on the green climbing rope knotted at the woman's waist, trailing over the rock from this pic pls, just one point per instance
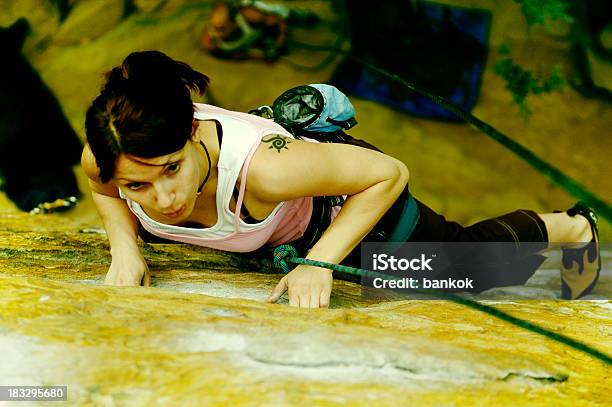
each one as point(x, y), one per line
point(285, 254)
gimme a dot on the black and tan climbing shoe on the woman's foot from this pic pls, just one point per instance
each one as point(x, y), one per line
point(580, 267)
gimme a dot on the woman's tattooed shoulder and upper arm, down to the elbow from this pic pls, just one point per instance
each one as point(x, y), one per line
point(284, 168)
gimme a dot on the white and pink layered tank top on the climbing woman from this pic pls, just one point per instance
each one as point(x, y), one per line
point(242, 135)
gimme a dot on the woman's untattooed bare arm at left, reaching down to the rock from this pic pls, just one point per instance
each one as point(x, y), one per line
point(128, 266)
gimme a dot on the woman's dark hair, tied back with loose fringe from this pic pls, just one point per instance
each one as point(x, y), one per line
point(144, 109)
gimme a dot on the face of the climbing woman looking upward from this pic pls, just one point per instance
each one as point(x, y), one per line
point(166, 186)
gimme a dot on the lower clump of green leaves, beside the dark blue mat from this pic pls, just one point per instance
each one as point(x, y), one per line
point(521, 82)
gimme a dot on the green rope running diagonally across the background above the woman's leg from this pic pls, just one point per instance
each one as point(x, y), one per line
point(554, 174)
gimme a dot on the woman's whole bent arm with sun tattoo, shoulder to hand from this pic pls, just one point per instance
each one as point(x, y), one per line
point(284, 169)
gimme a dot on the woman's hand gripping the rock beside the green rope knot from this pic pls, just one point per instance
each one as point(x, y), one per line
point(308, 286)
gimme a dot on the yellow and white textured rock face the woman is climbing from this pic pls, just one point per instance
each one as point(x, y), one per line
point(202, 334)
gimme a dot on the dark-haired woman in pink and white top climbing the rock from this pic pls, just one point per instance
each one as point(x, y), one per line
point(165, 168)
